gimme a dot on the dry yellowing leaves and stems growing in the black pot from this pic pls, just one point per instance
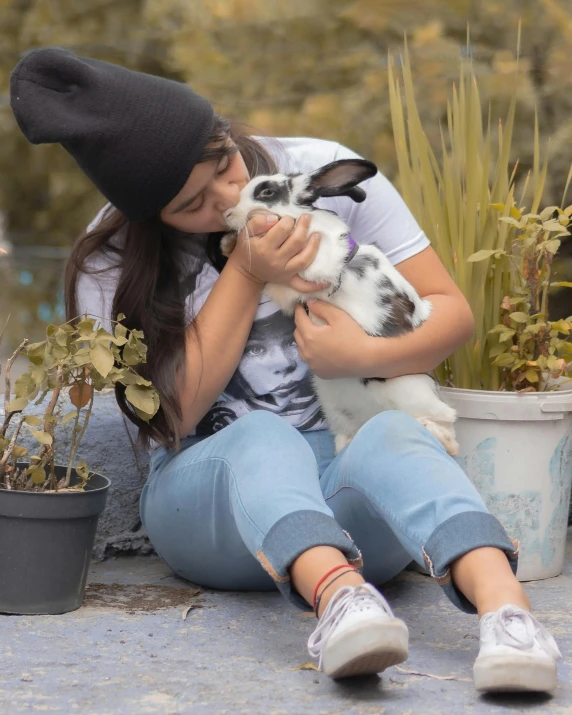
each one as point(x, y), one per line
point(78, 358)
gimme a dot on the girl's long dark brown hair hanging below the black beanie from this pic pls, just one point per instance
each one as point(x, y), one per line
point(155, 281)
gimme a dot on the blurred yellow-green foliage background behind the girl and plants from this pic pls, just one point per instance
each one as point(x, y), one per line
point(296, 68)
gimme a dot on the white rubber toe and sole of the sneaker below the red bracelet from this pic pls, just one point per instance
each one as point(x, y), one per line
point(366, 649)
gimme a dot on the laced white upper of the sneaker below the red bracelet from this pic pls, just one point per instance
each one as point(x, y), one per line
point(346, 599)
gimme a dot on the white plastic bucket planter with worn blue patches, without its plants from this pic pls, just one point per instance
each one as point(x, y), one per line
point(517, 451)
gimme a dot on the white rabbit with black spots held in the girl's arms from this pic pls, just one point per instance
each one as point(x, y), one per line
point(363, 282)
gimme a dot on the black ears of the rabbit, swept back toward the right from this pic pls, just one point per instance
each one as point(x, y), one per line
point(339, 178)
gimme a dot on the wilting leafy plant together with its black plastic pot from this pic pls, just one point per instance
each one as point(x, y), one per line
point(49, 511)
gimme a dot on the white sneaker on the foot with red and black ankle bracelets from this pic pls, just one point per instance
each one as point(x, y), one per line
point(358, 634)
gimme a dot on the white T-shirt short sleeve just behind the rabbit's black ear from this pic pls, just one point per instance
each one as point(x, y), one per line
point(383, 218)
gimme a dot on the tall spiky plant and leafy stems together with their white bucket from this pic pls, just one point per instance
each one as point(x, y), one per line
point(510, 383)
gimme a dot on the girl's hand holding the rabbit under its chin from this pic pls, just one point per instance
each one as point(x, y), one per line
point(273, 250)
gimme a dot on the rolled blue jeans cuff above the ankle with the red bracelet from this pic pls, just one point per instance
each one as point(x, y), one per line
point(294, 534)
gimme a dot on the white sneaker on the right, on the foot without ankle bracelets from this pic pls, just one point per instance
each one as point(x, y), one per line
point(516, 654)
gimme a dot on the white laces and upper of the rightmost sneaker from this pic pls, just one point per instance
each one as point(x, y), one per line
point(519, 629)
